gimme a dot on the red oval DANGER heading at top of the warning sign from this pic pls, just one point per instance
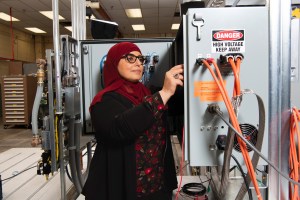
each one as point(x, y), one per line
point(228, 35)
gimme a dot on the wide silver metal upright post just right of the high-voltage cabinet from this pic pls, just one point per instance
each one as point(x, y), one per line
point(279, 71)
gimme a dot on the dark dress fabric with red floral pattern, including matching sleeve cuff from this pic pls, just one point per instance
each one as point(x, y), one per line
point(150, 151)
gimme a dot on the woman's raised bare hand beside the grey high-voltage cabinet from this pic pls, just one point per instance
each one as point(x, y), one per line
point(173, 78)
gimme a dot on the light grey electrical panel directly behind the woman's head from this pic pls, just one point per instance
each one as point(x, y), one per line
point(93, 55)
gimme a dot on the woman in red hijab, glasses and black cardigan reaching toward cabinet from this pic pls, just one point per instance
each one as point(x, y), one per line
point(133, 158)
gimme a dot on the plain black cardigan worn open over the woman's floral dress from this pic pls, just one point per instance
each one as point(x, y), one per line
point(112, 173)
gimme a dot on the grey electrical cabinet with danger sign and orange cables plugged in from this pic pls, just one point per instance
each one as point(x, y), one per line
point(216, 33)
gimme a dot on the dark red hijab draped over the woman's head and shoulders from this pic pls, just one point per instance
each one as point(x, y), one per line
point(114, 82)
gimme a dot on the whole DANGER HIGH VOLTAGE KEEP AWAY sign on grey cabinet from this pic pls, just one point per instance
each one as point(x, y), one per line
point(228, 41)
